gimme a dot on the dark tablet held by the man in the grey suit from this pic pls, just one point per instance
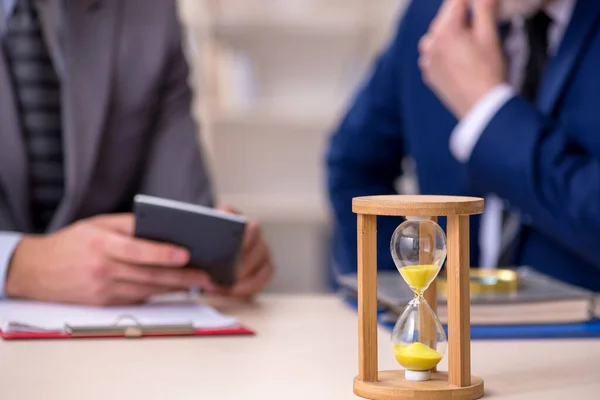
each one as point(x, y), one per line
point(213, 238)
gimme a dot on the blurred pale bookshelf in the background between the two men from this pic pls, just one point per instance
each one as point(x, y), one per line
point(272, 79)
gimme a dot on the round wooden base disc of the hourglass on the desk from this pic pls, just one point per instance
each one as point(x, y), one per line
point(392, 385)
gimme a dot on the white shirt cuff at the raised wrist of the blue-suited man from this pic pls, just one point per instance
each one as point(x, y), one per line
point(465, 135)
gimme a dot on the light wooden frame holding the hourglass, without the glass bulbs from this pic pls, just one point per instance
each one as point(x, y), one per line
point(457, 383)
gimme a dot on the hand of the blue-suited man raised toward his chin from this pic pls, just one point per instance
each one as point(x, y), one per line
point(462, 60)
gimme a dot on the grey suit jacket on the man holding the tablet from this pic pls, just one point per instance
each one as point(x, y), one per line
point(126, 110)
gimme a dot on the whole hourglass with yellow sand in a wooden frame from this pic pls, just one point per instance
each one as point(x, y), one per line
point(419, 248)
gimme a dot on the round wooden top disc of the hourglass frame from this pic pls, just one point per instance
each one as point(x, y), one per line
point(417, 205)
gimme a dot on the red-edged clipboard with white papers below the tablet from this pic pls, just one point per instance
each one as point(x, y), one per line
point(173, 315)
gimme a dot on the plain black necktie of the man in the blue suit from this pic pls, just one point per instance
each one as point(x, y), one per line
point(536, 28)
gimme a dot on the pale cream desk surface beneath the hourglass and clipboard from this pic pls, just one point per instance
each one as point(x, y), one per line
point(305, 348)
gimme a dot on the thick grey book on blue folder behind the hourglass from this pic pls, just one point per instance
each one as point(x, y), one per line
point(539, 300)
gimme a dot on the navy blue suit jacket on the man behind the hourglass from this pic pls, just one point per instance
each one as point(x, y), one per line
point(543, 159)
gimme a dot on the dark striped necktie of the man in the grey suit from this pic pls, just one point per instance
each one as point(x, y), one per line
point(37, 90)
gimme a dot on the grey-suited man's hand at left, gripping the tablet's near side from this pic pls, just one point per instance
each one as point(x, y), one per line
point(97, 261)
